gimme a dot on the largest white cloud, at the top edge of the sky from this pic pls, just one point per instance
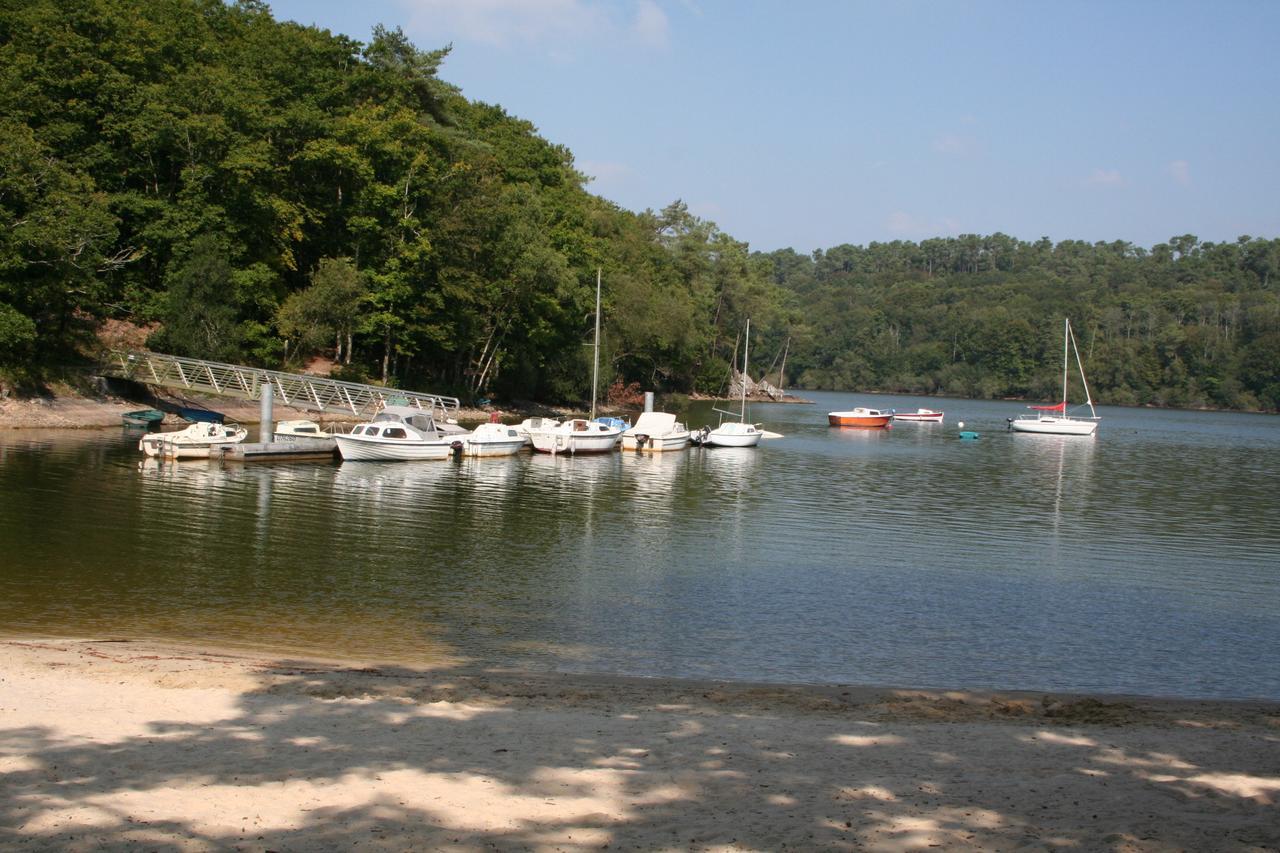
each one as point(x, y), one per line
point(552, 24)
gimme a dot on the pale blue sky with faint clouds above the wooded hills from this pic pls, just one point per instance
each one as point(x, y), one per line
point(813, 124)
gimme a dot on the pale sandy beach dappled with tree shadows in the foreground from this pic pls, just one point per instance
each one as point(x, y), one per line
point(131, 746)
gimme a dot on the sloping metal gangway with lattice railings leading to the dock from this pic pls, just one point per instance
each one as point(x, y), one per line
point(299, 391)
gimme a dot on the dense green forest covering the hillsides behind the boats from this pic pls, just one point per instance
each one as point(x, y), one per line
point(255, 191)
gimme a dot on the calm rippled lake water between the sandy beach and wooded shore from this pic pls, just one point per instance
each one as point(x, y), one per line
point(1145, 560)
